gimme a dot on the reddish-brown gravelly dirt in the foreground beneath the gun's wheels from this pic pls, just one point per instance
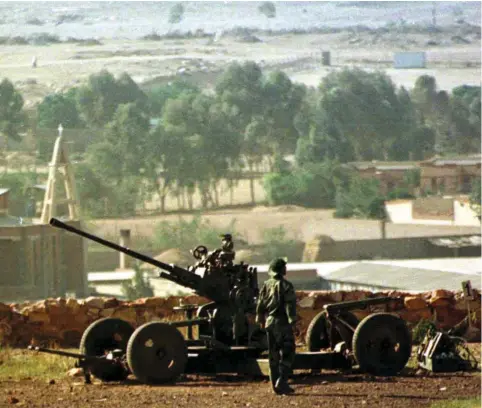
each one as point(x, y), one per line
point(329, 389)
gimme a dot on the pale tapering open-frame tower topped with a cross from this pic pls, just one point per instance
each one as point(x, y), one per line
point(60, 170)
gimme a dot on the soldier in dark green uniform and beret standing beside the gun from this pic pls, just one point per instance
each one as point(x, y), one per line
point(276, 311)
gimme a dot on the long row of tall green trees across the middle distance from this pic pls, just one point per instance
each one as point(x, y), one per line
point(200, 137)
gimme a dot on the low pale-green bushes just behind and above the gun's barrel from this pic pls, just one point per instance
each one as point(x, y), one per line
point(187, 234)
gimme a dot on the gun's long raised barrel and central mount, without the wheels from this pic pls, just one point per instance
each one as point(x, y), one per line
point(232, 288)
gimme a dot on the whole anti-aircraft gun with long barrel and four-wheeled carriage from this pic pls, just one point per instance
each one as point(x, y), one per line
point(227, 340)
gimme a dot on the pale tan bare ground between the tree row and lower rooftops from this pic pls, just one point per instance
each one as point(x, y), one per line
point(301, 224)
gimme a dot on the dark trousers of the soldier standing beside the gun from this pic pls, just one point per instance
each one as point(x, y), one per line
point(281, 350)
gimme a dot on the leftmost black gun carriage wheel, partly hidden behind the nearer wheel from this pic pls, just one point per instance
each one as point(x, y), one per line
point(105, 335)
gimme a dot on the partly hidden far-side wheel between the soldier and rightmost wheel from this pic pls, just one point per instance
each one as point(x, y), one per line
point(318, 332)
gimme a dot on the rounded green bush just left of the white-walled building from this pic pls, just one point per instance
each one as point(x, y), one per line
point(361, 199)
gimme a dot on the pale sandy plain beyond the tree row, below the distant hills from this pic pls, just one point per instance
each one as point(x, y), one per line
point(453, 57)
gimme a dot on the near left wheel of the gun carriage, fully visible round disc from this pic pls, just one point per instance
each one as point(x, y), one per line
point(156, 353)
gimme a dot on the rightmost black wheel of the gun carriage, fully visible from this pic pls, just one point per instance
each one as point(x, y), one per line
point(382, 344)
